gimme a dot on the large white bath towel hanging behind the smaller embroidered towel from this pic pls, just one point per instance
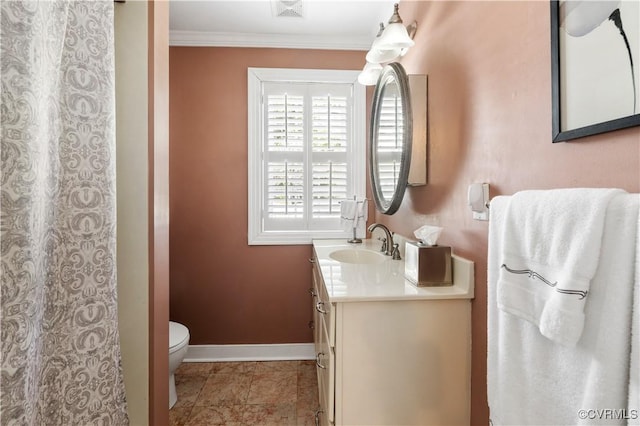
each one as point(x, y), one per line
point(532, 380)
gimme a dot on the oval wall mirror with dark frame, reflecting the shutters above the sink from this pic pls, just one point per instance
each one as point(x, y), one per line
point(390, 138)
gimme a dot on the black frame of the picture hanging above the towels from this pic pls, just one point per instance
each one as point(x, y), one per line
point(558, 135)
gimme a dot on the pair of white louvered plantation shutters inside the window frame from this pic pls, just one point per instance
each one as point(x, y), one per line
point(307, 148)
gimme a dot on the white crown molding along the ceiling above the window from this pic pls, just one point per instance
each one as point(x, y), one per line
point(278, 41)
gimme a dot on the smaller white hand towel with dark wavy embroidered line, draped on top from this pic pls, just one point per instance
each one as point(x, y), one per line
point(550, 254)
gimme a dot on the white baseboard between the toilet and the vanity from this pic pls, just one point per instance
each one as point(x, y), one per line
point(278, 352)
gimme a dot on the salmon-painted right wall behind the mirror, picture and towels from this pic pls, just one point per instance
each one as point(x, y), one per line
point(489, 76)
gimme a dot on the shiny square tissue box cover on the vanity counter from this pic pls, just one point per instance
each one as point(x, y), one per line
point(428, 266)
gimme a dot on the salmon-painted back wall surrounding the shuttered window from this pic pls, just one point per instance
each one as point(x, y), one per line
point(225, 291)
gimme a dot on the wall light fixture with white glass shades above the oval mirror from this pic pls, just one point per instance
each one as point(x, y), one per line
point(391, 42)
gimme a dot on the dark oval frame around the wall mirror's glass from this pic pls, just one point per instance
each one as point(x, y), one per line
point(393, 72)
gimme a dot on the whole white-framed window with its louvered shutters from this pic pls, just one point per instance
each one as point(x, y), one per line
point(306, 155)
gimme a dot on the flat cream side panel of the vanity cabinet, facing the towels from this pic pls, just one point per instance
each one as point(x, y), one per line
point(403, 362)
